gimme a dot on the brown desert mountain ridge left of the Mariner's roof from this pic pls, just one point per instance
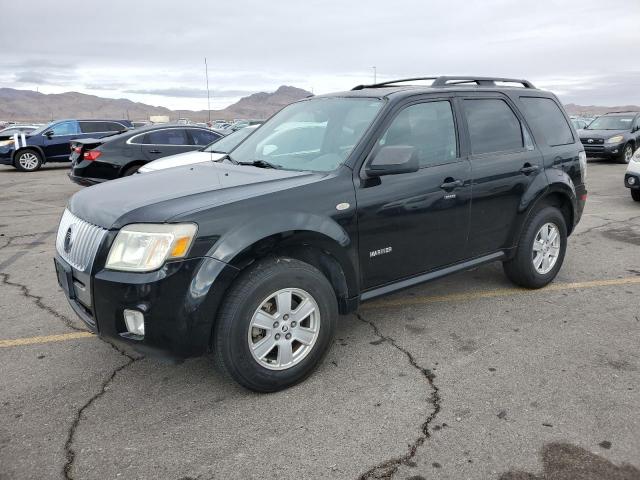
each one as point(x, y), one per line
point(30, 106)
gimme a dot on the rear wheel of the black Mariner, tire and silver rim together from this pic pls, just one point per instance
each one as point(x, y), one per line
point(540, 251)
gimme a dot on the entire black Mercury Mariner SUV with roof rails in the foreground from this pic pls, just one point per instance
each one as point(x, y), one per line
point(380, 188)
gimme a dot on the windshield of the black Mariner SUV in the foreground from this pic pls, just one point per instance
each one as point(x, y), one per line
point(316, 134)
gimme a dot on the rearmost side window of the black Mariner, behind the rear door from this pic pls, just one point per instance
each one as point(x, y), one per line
point(547, 117)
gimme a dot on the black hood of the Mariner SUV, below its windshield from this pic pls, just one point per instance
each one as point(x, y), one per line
point(160, 196)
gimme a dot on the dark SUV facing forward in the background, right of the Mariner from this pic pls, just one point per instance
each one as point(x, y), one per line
point(614, 135)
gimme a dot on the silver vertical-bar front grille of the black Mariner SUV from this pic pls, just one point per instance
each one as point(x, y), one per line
point(78, 241)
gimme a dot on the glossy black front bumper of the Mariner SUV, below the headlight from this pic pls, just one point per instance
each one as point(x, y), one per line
point(178, 303)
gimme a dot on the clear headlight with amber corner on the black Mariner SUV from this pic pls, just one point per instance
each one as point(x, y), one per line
point(143, 247)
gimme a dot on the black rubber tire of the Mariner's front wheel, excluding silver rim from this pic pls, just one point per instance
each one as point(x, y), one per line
point(231, 333)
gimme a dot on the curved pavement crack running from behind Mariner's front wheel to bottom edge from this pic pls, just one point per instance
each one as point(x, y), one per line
point(388, 468)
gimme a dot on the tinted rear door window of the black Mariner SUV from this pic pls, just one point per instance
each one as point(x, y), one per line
point(493, 127)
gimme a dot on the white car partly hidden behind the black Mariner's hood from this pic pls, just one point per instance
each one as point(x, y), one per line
point(210, 153)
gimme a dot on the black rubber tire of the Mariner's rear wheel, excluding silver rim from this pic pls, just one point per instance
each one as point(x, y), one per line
point(520, 269)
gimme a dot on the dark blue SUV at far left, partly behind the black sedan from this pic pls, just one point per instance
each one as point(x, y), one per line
point(50, 143)
